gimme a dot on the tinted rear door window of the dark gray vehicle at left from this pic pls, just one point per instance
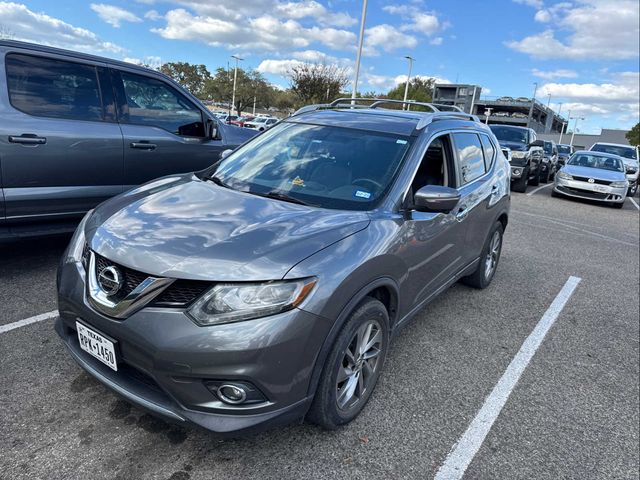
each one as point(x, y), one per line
point(49, 87)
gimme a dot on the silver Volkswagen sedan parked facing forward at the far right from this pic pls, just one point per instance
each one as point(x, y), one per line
point(593, 176)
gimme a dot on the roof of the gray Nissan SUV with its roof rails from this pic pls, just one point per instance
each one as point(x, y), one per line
point(395, 122)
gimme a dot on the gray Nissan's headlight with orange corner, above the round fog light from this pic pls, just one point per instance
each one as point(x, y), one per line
point(235, 302)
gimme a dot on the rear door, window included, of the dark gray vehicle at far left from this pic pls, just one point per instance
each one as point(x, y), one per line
point(59, 157)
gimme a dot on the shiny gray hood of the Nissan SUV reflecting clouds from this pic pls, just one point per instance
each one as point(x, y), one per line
point(185, 227)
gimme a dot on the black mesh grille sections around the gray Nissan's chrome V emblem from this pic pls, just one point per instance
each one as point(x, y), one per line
point(180, 293)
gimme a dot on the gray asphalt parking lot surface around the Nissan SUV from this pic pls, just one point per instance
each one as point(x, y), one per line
point(573, 414)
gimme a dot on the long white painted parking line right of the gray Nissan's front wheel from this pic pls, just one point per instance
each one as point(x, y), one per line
point(466, 448)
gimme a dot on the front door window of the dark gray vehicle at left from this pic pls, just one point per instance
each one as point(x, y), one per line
point(154, 103)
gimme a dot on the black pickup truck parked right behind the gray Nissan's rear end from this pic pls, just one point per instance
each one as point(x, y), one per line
point(526, 154)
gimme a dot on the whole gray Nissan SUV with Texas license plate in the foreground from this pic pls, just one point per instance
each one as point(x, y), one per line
point(267, 288)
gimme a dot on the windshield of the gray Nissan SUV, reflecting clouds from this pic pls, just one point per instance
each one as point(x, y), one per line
point(329, 167)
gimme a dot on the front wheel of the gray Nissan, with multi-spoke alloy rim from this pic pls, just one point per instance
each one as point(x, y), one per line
point(352, 367)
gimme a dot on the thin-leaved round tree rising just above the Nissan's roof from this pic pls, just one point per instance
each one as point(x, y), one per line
point(317, 82)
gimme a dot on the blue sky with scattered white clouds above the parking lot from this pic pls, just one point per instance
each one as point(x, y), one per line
point(585, 53)
